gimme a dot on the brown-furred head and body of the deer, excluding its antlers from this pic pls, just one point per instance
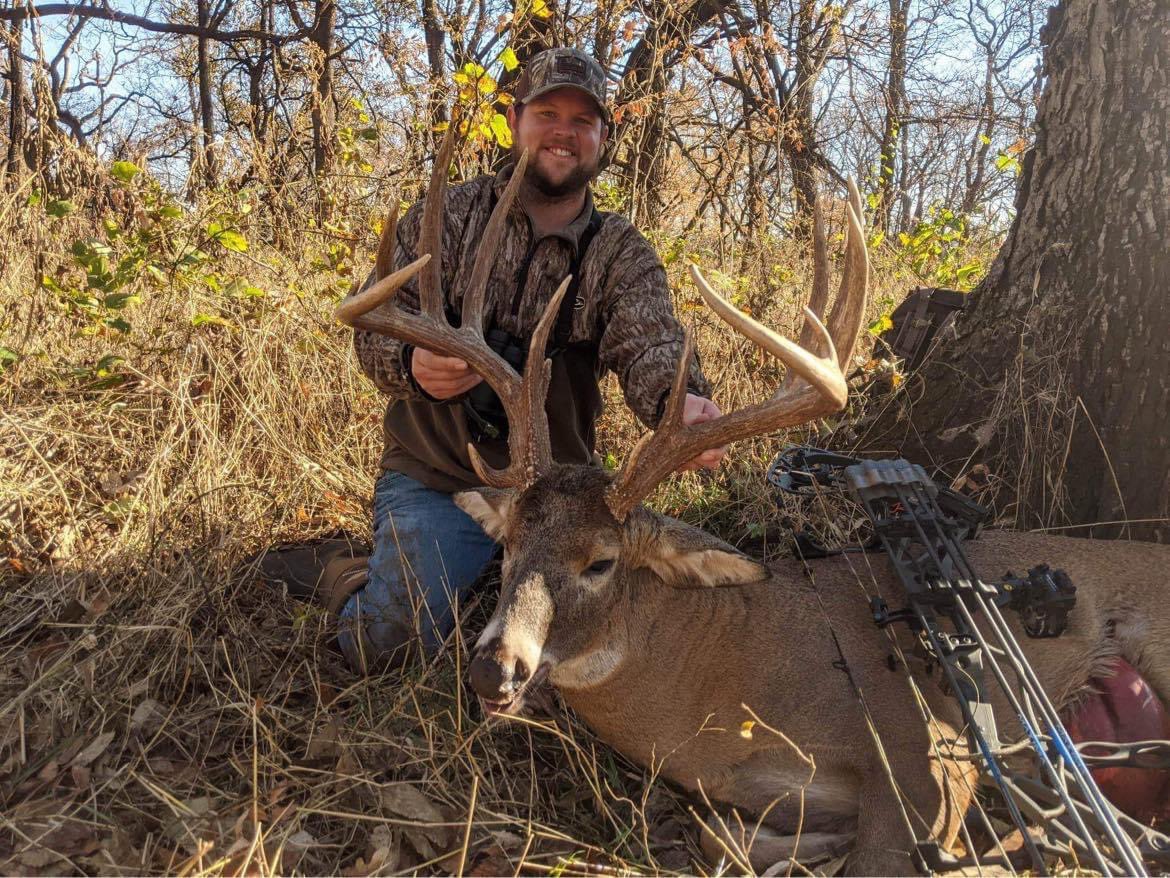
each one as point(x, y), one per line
point(684, 640)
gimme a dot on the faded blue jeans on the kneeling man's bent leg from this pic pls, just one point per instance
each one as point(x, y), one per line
point(428, 553)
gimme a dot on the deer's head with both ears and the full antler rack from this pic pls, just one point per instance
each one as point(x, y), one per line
point(577, 541)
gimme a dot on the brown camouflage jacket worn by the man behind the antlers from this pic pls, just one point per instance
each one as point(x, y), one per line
point(627, 325)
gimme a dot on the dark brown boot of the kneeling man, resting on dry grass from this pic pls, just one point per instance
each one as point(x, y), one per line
point(326, 573)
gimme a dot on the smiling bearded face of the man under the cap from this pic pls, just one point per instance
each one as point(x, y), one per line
point(563, 133)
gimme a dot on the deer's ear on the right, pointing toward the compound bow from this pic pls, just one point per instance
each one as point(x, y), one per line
point(686, 558)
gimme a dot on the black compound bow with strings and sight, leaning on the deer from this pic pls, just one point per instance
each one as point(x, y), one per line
point(921, 527)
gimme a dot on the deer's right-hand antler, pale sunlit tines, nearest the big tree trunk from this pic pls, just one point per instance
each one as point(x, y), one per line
point(817, 389)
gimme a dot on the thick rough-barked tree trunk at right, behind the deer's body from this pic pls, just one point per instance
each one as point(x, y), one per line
point(1059, 380)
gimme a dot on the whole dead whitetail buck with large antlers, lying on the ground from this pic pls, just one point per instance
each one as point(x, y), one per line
point(666, 641)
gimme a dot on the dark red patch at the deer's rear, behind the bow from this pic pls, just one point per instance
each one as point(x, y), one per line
point(1126, 710)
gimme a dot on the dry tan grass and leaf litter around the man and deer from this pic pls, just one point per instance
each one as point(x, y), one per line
point(163, 712)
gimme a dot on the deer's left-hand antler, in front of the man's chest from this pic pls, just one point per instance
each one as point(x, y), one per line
point(531, 451)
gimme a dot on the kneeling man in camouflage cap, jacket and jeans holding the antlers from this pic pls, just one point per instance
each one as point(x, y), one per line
point(428, 552)
